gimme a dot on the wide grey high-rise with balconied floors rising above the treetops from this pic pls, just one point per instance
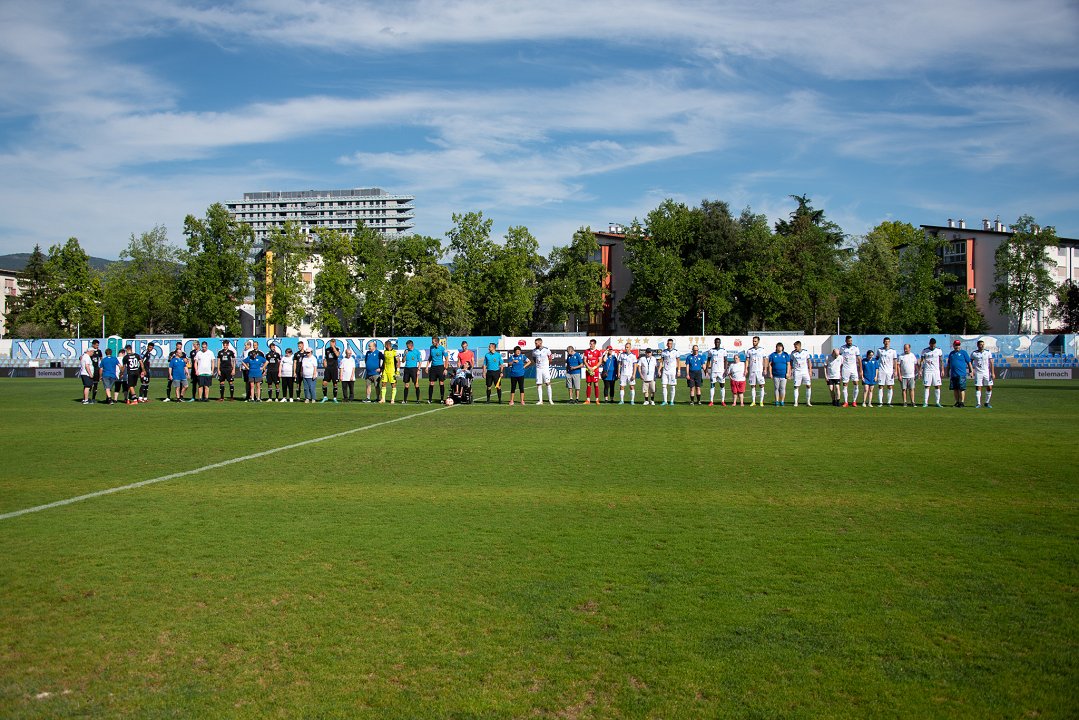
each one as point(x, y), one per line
point(339, 210)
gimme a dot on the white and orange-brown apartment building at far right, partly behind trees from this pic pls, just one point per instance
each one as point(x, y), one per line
point(971, 255)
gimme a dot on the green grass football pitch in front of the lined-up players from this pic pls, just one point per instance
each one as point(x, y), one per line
point(561, 562)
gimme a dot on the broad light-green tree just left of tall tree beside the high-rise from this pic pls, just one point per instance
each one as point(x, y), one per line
point(141, 292)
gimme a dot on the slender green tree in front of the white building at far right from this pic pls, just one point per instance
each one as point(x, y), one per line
point(1023, 276)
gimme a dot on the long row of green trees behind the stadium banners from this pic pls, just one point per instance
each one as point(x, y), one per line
point(693, 268)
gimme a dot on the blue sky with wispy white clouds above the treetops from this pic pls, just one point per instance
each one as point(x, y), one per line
point(116, 117)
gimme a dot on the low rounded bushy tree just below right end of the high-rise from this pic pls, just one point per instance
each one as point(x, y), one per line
point(432, 304)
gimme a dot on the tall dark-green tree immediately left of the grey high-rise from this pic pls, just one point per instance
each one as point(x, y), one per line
point(216, 276)
